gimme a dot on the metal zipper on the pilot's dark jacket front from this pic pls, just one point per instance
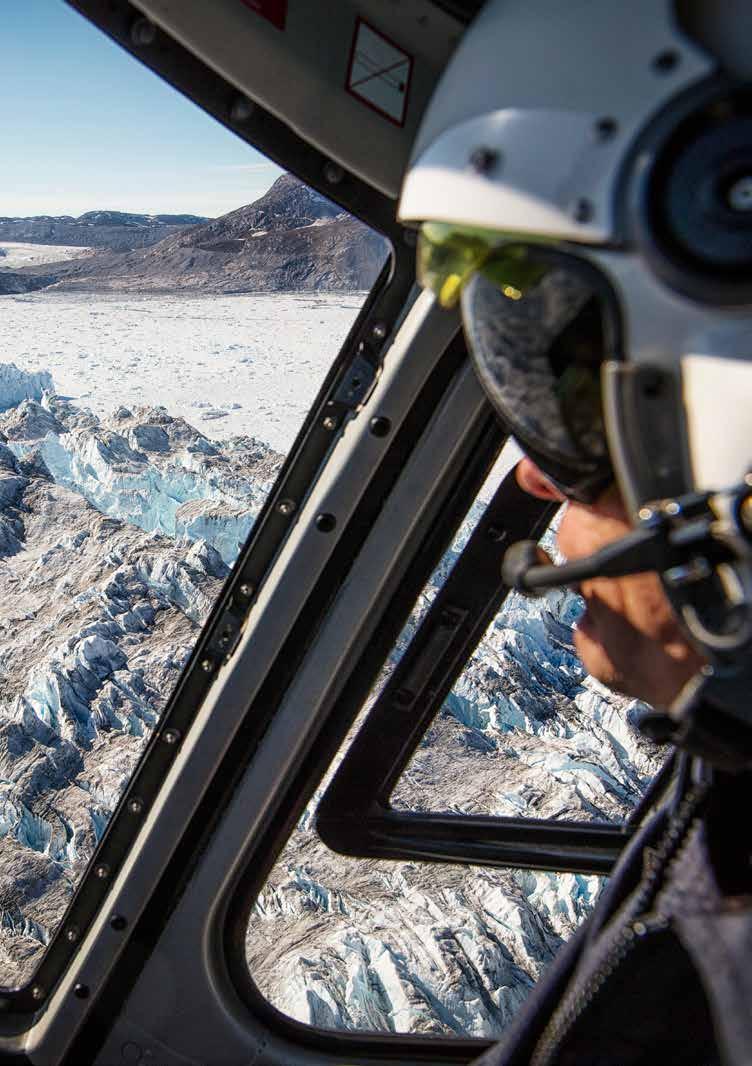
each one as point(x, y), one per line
point(641, 926)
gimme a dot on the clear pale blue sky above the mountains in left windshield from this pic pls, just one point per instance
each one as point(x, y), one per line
point(86, 127)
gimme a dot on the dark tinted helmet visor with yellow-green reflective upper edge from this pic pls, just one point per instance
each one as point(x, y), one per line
point(537, 328)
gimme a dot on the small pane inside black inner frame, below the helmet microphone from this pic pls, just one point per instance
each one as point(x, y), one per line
point(526, 733)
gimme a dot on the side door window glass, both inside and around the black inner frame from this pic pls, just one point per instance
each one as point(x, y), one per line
point(439, 949)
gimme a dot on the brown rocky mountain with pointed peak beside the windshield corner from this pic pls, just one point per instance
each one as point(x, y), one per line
point(291, 240)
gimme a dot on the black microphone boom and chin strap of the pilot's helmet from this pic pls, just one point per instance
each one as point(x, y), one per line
point(701, 545)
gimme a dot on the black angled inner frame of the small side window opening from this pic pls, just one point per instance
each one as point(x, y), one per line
point(356, 817)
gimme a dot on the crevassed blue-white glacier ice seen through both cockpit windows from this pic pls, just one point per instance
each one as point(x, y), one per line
point(117, 535)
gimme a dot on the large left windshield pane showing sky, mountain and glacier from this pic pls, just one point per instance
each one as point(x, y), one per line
point(171, 305)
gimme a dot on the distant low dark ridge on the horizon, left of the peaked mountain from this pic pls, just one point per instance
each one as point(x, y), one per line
point(117, 231)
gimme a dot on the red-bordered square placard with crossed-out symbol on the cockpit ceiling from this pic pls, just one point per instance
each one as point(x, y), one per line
point(379, 73)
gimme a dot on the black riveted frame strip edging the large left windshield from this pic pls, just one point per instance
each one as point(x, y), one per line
point(338, 398)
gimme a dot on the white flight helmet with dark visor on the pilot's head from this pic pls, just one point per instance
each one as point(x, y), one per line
point(583, 177)
